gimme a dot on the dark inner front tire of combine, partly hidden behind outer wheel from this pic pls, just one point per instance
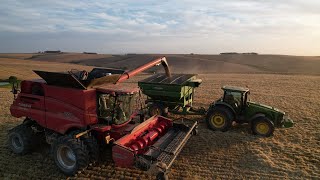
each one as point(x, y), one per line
point(93, 147)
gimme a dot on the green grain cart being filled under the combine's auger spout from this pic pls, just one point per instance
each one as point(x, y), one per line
point(170, 94)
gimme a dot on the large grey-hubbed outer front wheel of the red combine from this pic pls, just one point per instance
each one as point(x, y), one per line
point(70, 155)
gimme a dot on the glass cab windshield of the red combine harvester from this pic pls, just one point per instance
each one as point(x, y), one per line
point(116, 109)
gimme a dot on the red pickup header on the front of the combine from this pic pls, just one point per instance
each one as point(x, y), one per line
point(153, 145)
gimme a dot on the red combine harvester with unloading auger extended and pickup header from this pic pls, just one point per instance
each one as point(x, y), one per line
point(78, 112)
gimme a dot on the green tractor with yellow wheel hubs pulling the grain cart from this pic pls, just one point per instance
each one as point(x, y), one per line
point(235, 106)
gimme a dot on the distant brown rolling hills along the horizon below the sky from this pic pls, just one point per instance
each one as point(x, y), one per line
point(193, 63)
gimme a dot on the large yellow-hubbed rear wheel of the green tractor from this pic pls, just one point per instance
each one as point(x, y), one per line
point(219, 118)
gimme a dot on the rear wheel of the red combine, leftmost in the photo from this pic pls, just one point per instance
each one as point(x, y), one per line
point(20, 139)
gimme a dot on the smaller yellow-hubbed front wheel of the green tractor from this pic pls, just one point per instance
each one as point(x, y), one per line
point(262, 126)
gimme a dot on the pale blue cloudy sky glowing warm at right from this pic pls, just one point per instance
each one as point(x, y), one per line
point(167, 26)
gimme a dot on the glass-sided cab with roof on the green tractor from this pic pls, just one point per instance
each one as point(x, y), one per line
point(236, 97)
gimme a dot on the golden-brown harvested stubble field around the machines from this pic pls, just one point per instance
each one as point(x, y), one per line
point(236, 154)
